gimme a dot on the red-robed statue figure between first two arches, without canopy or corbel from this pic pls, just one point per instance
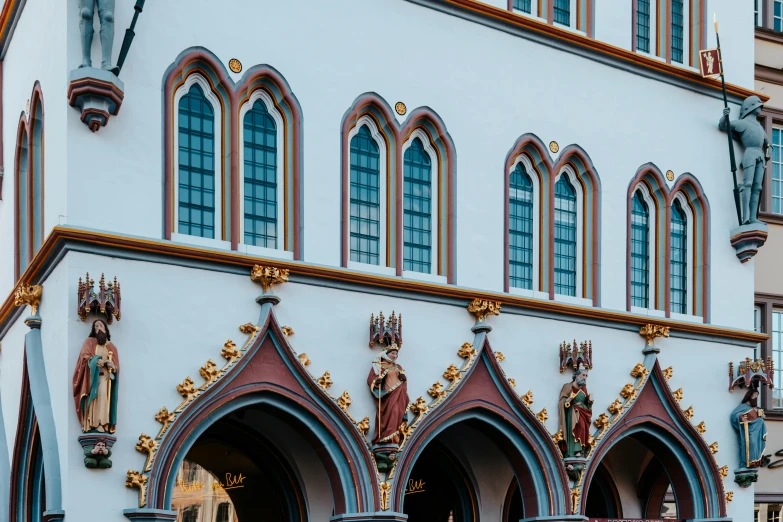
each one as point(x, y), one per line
point(389, 386)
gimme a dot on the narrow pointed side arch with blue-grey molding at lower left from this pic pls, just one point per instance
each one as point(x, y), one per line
point(35, 459)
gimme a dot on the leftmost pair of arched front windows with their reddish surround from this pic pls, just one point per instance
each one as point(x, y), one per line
point(232, 160)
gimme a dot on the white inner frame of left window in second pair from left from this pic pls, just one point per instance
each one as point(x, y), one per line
point(384, 265)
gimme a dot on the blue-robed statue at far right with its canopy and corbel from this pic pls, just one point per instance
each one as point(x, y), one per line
point(747, 418)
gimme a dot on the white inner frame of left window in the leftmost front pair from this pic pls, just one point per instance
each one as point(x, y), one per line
point(217, 108)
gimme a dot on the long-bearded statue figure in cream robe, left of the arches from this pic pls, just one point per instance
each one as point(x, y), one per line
point(96, 380)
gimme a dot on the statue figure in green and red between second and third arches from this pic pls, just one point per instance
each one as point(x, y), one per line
point(576, 409)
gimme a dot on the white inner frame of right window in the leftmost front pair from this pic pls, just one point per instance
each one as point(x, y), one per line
point(263, 96)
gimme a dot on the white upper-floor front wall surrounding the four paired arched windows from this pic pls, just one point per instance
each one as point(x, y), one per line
point(489, 87)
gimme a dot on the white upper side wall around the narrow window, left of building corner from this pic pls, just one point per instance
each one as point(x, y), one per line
point(32, 56)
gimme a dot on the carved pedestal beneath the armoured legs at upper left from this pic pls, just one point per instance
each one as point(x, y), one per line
point(96, 93)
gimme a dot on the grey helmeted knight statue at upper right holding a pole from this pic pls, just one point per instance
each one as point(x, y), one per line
point(755, 142)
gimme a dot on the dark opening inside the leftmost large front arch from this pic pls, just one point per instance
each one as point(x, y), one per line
point(242, 467)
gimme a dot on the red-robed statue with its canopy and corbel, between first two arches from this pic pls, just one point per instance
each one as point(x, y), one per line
point(389, 387)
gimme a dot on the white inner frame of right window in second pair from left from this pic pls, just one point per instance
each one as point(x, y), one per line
point(429, 148)
